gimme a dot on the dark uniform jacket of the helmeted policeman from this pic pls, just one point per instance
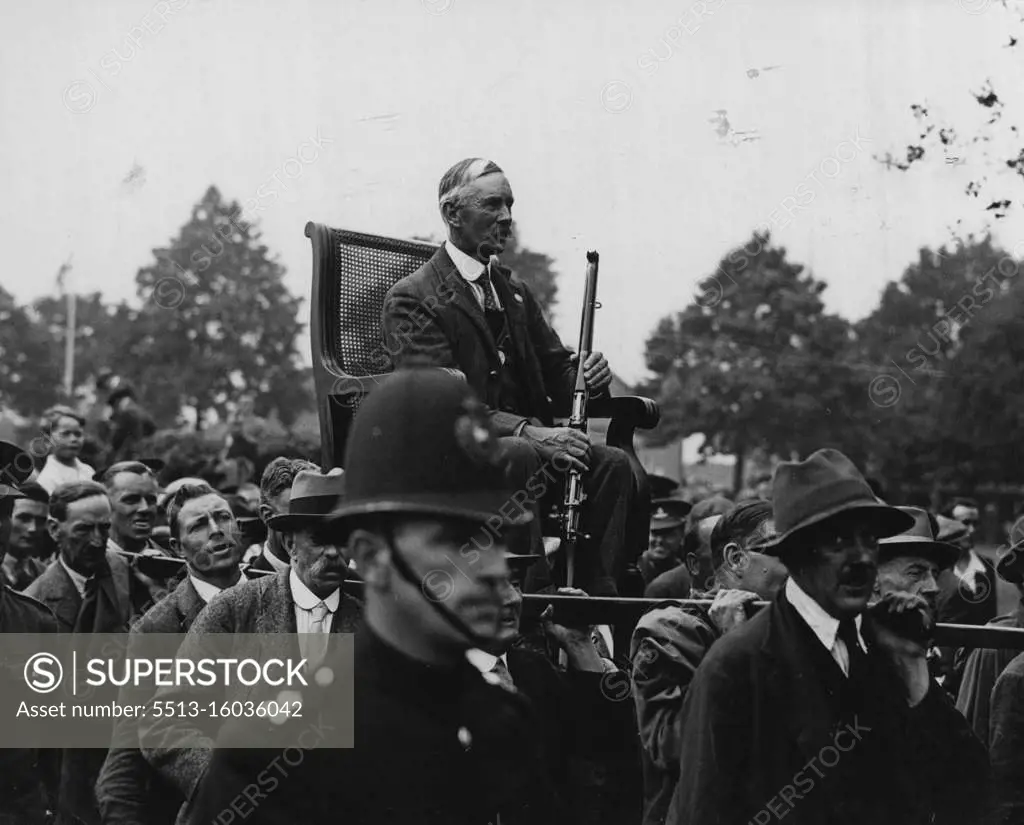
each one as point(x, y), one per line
point(434, 747)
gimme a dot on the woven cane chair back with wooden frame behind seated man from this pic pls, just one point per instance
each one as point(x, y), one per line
point(353, 273)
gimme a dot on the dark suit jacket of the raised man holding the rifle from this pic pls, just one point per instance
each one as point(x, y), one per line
point(433, 319)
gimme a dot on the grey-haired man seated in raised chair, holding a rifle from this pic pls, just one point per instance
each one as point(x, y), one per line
point(462, 311)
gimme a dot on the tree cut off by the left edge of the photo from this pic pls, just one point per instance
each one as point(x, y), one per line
point(30, 377)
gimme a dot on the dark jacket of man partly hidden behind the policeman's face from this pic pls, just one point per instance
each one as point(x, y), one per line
point(589, 736)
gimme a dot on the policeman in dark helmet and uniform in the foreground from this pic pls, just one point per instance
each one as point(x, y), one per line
point(430, 511)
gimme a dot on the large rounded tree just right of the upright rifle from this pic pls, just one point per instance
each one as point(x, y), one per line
point(755, 363)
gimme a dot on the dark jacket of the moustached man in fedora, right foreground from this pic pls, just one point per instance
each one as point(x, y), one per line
point(773, 729)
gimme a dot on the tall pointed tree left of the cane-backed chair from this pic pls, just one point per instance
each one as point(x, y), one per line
point(217, 323)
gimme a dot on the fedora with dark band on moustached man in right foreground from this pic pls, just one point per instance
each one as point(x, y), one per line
point(827, 484)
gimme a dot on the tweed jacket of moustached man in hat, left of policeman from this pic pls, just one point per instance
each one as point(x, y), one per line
point(262, 607)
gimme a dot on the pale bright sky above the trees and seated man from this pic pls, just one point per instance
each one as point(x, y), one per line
point(600, 113)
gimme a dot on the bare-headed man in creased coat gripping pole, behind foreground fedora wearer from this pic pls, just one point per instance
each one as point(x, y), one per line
point(670, 642)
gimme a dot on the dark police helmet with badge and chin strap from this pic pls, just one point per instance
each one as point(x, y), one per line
point(422, 444)
